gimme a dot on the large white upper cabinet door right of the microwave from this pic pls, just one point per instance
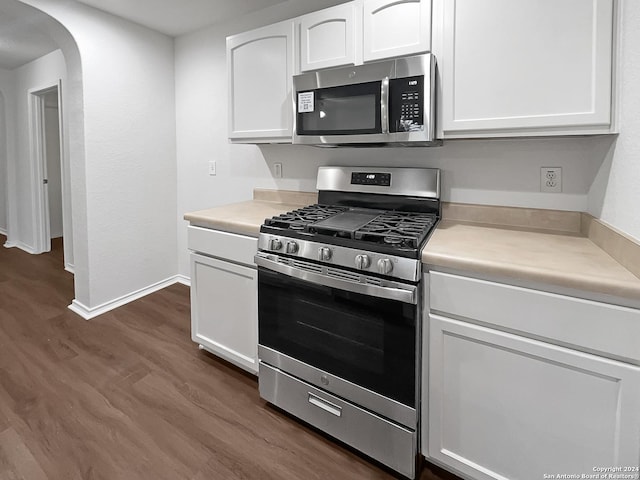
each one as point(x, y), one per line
point(534, 67)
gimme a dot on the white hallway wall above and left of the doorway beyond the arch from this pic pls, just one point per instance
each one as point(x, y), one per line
point(40, 74)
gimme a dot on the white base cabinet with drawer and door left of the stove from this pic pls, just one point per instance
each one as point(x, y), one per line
point(224, 296)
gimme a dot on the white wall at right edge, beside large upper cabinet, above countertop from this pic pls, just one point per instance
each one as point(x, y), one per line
point(615, 195)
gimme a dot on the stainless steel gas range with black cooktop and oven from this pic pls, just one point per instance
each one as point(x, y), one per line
point(339, 307)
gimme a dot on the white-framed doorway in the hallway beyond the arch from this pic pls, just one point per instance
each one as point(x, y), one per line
point(50, 214)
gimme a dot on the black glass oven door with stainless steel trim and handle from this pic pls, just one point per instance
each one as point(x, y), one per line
point(355, 340)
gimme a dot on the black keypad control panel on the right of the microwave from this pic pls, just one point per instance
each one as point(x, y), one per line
point(406, 104)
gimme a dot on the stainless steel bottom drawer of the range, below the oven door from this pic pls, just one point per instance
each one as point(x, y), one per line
point(375, 436)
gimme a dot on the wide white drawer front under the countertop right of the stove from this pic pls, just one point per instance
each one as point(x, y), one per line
point(601, 328)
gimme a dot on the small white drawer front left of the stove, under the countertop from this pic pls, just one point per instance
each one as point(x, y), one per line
point(216, 243)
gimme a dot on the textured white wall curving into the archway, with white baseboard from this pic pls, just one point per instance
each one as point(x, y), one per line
point(123, 166)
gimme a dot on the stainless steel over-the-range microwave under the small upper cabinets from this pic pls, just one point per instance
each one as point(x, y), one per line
point(388, 103)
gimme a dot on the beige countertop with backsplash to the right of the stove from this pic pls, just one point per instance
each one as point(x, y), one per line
point(564, 254)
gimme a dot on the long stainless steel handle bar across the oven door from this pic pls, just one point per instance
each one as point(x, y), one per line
point(392, 291)
